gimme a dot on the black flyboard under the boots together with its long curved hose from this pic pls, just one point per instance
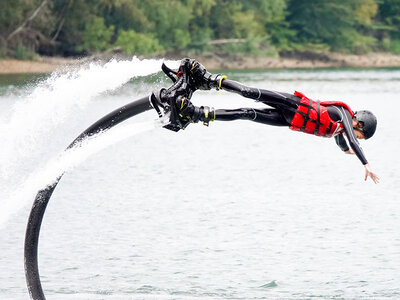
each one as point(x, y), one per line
point(162, 102)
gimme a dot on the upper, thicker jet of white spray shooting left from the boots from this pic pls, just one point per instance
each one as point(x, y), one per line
point(54, 100)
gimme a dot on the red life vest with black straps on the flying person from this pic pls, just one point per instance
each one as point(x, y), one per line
point(312, 117)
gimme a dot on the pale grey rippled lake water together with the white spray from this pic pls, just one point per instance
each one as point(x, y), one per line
point(236, 210)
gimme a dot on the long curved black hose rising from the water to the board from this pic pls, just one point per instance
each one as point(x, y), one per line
point(43, 196)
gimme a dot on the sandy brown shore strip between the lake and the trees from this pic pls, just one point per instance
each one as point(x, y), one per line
point(213, 62)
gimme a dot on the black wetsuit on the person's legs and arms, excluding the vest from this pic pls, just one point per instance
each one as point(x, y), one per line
point(284, 107)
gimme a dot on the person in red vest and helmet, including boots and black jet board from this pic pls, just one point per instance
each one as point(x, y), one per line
point(295, 111)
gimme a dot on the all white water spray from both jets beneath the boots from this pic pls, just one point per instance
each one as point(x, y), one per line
point(36, 117)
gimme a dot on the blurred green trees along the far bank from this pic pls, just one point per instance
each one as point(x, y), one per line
point(156, 27)
